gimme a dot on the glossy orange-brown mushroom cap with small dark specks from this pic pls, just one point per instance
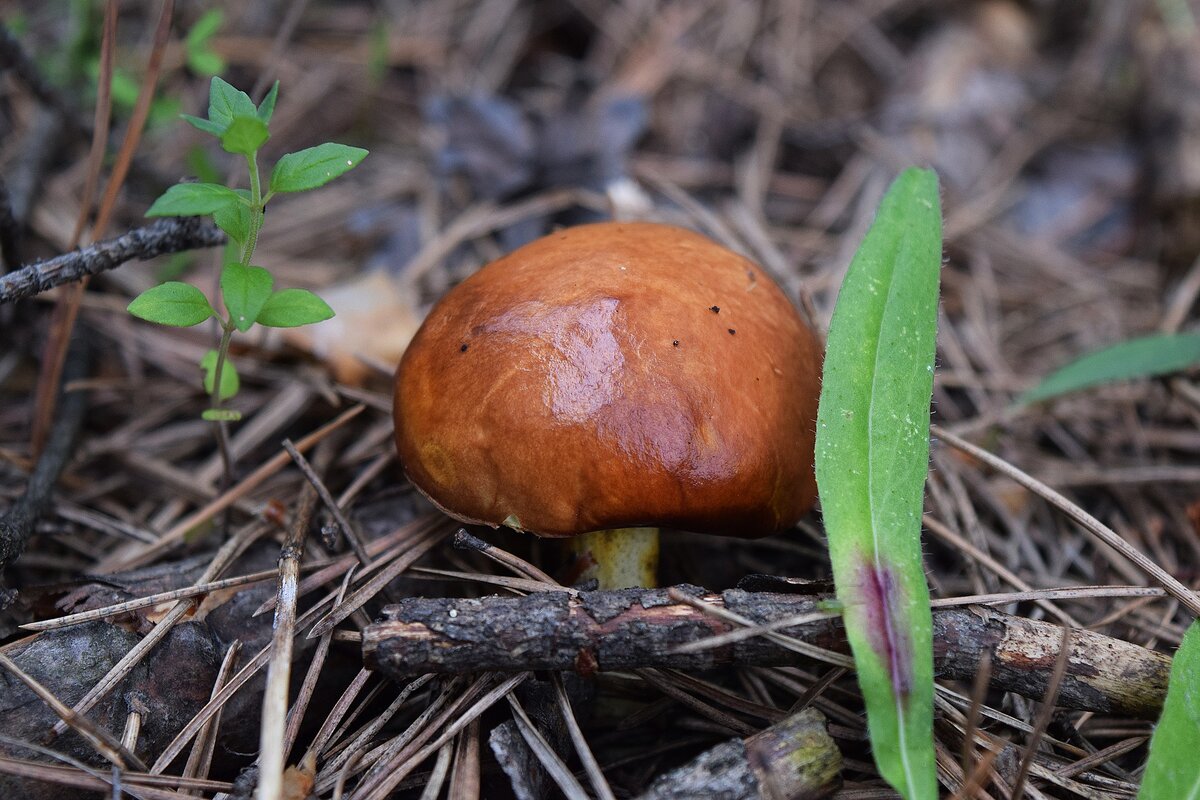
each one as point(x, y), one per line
point(611, 376)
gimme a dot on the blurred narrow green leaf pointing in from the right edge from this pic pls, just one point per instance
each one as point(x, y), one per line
point(1142, 358)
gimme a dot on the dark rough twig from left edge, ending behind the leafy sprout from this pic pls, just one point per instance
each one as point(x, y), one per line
point(170, 236)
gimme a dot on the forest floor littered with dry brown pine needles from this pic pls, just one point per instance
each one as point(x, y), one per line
point(1065, 136)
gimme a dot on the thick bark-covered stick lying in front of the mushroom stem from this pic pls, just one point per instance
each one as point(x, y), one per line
point(638, 628)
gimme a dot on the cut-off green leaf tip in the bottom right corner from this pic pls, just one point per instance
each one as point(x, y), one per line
point(1174, 769)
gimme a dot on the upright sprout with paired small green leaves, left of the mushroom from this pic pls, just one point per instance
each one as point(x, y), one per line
point(248, 291)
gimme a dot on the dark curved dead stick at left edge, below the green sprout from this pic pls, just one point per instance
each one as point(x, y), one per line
point(17, 525)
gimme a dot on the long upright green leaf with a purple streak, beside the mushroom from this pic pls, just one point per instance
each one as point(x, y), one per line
point(872, 461)
